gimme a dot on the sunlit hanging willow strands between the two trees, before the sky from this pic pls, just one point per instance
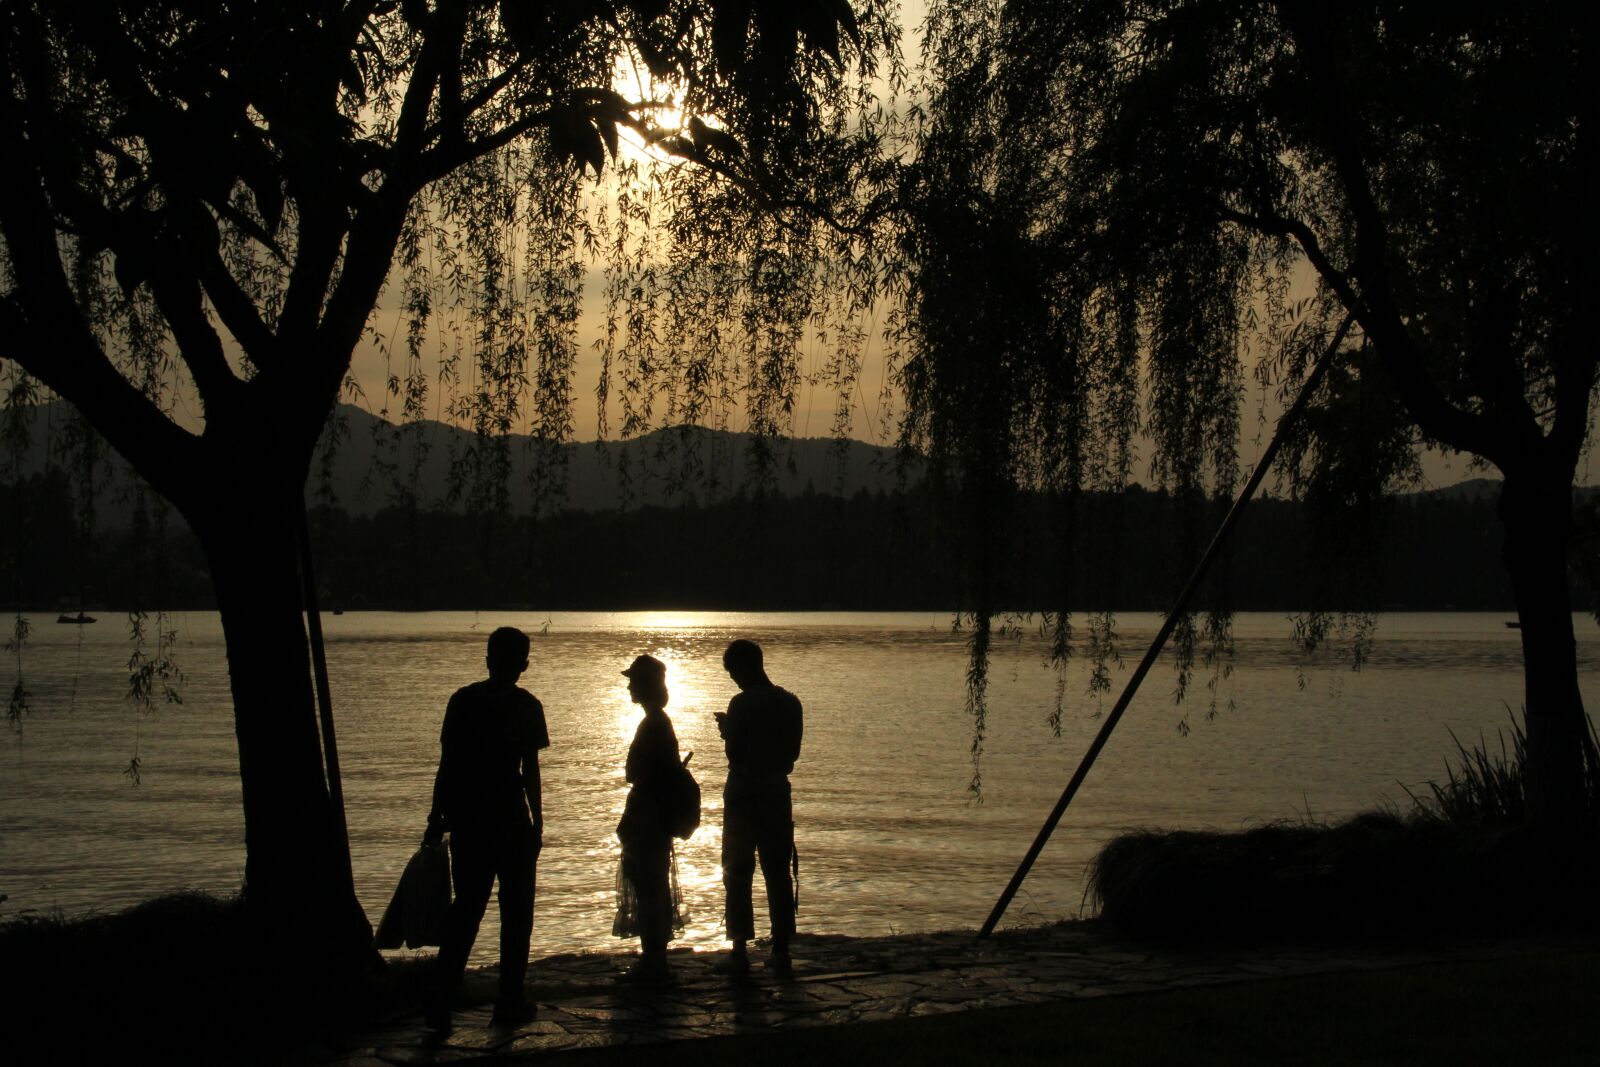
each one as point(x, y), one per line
point(718, 262)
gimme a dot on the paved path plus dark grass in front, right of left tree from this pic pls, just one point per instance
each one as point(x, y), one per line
point(1057, 994)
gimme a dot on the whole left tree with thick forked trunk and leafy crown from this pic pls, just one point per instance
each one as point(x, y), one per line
point(204, 202)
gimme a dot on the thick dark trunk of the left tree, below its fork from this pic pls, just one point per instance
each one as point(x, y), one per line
point(297, 863)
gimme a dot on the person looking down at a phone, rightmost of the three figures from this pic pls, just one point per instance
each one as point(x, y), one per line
point(761, 732)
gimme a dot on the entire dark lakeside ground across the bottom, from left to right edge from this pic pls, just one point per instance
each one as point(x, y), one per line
point(183, 980)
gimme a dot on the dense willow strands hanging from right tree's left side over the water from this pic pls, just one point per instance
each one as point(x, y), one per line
point(1036, 348)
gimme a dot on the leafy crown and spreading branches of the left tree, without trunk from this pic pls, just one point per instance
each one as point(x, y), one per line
point(217, 188)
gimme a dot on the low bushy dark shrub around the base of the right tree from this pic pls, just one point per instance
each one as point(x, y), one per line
point(1463, 860)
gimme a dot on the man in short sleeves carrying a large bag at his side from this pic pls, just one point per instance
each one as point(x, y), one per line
point(489, 796)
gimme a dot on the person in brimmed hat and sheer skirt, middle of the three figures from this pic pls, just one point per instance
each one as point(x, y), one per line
point(647, 897)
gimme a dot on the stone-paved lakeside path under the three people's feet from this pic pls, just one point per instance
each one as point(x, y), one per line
point(841, 981)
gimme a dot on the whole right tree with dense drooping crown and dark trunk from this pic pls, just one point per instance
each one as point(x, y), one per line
point(1114, 199)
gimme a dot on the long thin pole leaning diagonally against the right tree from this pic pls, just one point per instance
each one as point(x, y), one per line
point(1167, 628)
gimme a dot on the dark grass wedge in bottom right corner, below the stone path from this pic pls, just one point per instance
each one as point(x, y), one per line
point(1530, 1010)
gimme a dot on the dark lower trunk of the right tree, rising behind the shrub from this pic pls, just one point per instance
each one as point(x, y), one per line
point(1537, 513)
